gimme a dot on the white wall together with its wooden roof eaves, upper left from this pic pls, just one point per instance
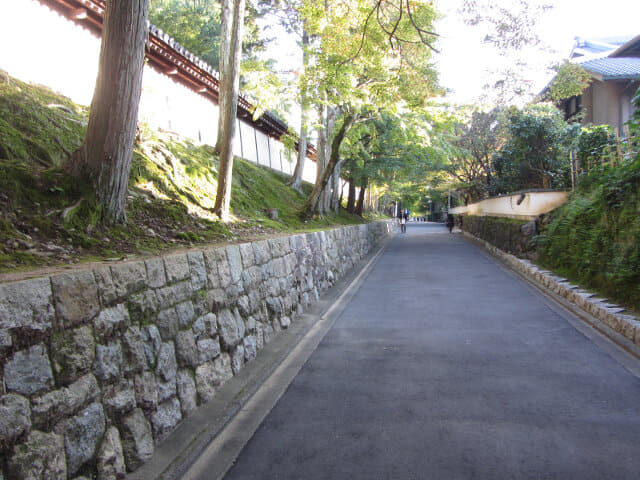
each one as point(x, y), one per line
point(54, 48)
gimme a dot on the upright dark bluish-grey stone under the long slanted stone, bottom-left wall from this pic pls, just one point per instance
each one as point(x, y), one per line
point(82, 436)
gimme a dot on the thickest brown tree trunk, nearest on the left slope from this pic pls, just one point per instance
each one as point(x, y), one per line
point(106, 153)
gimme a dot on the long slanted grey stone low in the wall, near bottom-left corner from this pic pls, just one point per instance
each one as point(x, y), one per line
point(64, 402)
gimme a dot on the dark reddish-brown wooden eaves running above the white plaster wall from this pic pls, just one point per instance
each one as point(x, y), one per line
point(165, 55)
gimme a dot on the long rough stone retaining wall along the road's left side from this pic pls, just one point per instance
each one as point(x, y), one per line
point(98, 366)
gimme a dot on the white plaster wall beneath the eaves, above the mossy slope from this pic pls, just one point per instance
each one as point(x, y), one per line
point(40, 46)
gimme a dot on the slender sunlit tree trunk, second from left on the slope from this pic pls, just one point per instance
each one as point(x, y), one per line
point(232, 86)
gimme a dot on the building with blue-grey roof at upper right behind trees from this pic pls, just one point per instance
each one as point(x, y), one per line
point(614, 65)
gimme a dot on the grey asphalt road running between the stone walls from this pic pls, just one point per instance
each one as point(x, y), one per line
point(446, 366)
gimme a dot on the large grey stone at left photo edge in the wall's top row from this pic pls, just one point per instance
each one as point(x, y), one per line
point(27, 308)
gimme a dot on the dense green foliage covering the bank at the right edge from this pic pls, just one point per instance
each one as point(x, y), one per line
point(595, 238)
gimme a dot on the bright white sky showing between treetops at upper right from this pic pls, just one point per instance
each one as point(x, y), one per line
point(465, 59)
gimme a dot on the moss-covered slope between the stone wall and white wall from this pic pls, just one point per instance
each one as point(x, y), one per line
point(47, 220)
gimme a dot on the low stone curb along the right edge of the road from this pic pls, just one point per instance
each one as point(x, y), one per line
point(609, 319)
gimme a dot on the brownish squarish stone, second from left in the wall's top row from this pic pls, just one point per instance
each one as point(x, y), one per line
point(75, 298)
